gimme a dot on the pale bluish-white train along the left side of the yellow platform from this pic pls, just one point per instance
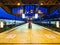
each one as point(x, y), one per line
point(6, 22)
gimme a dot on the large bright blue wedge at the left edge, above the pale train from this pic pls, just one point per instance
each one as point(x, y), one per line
point(5, 15)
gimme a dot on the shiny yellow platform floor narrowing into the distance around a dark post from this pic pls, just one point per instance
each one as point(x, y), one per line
point(38, 35)
